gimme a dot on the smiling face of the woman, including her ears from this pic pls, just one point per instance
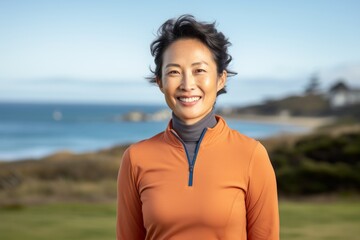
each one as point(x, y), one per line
point(190, 81)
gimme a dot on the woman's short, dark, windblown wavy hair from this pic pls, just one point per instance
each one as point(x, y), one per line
point(186, 26)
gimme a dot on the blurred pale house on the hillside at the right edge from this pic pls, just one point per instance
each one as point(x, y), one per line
point(341, 95)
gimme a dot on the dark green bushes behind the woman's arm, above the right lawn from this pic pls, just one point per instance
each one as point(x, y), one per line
point(318, 164)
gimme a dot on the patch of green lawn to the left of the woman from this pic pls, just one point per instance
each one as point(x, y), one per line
point(59, 221)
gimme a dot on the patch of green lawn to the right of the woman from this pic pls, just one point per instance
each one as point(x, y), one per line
point(321, 220)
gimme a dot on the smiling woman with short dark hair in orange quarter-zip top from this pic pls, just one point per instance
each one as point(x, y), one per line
point(198, 179)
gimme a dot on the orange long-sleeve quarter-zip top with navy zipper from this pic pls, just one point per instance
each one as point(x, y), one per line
point(228, 192)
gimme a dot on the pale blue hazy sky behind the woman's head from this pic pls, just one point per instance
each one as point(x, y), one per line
point(98, 51)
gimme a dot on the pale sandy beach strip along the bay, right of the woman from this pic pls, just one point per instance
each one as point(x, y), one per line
point(306, 122)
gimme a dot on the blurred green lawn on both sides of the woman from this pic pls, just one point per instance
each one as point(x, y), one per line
point(299, 220)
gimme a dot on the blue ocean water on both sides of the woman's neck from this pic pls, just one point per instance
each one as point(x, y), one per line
point(33, 130)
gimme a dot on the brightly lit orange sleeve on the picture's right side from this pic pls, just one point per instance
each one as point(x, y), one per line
point(262, 211)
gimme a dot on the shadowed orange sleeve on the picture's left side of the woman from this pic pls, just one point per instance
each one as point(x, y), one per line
point(129, 224)
